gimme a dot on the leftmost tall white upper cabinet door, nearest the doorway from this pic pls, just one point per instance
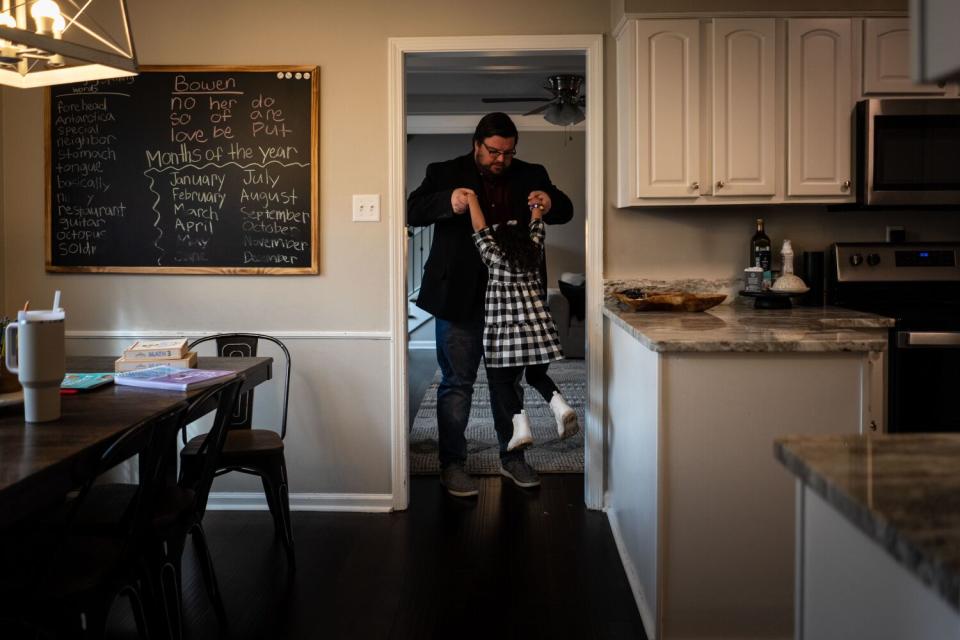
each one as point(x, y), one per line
point(665, 162)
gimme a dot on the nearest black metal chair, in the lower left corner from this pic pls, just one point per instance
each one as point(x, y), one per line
point(65, 576)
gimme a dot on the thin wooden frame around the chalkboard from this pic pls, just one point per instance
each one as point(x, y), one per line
point(313, 269)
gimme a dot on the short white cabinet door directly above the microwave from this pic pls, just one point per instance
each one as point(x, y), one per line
point(886, 58)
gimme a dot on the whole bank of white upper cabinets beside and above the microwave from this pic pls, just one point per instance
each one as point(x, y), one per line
point(750, 110)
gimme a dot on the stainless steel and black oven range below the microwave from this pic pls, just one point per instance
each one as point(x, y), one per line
point(918, 285)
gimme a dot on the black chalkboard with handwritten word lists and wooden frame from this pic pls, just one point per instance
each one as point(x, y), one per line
point(185, 170)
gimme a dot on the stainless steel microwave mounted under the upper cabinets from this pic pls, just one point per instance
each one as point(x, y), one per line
point(908, 151)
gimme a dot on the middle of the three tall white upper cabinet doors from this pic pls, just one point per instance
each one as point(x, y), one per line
point(744, 104)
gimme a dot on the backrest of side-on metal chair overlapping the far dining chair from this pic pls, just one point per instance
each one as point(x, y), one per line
point(200, 479)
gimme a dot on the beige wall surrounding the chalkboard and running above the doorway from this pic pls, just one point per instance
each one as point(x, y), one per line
point(340, 428)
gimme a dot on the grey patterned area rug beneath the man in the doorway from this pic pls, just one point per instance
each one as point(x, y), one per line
point(548, 454)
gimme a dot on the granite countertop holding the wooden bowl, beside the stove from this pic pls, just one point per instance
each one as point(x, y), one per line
point(740, 327)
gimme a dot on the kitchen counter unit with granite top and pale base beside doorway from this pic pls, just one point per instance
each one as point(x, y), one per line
point(702, 514)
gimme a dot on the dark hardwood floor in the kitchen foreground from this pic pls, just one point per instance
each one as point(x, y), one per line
point(512, 564)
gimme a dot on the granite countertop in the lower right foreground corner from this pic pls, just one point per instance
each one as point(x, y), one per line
point(903, 491)
